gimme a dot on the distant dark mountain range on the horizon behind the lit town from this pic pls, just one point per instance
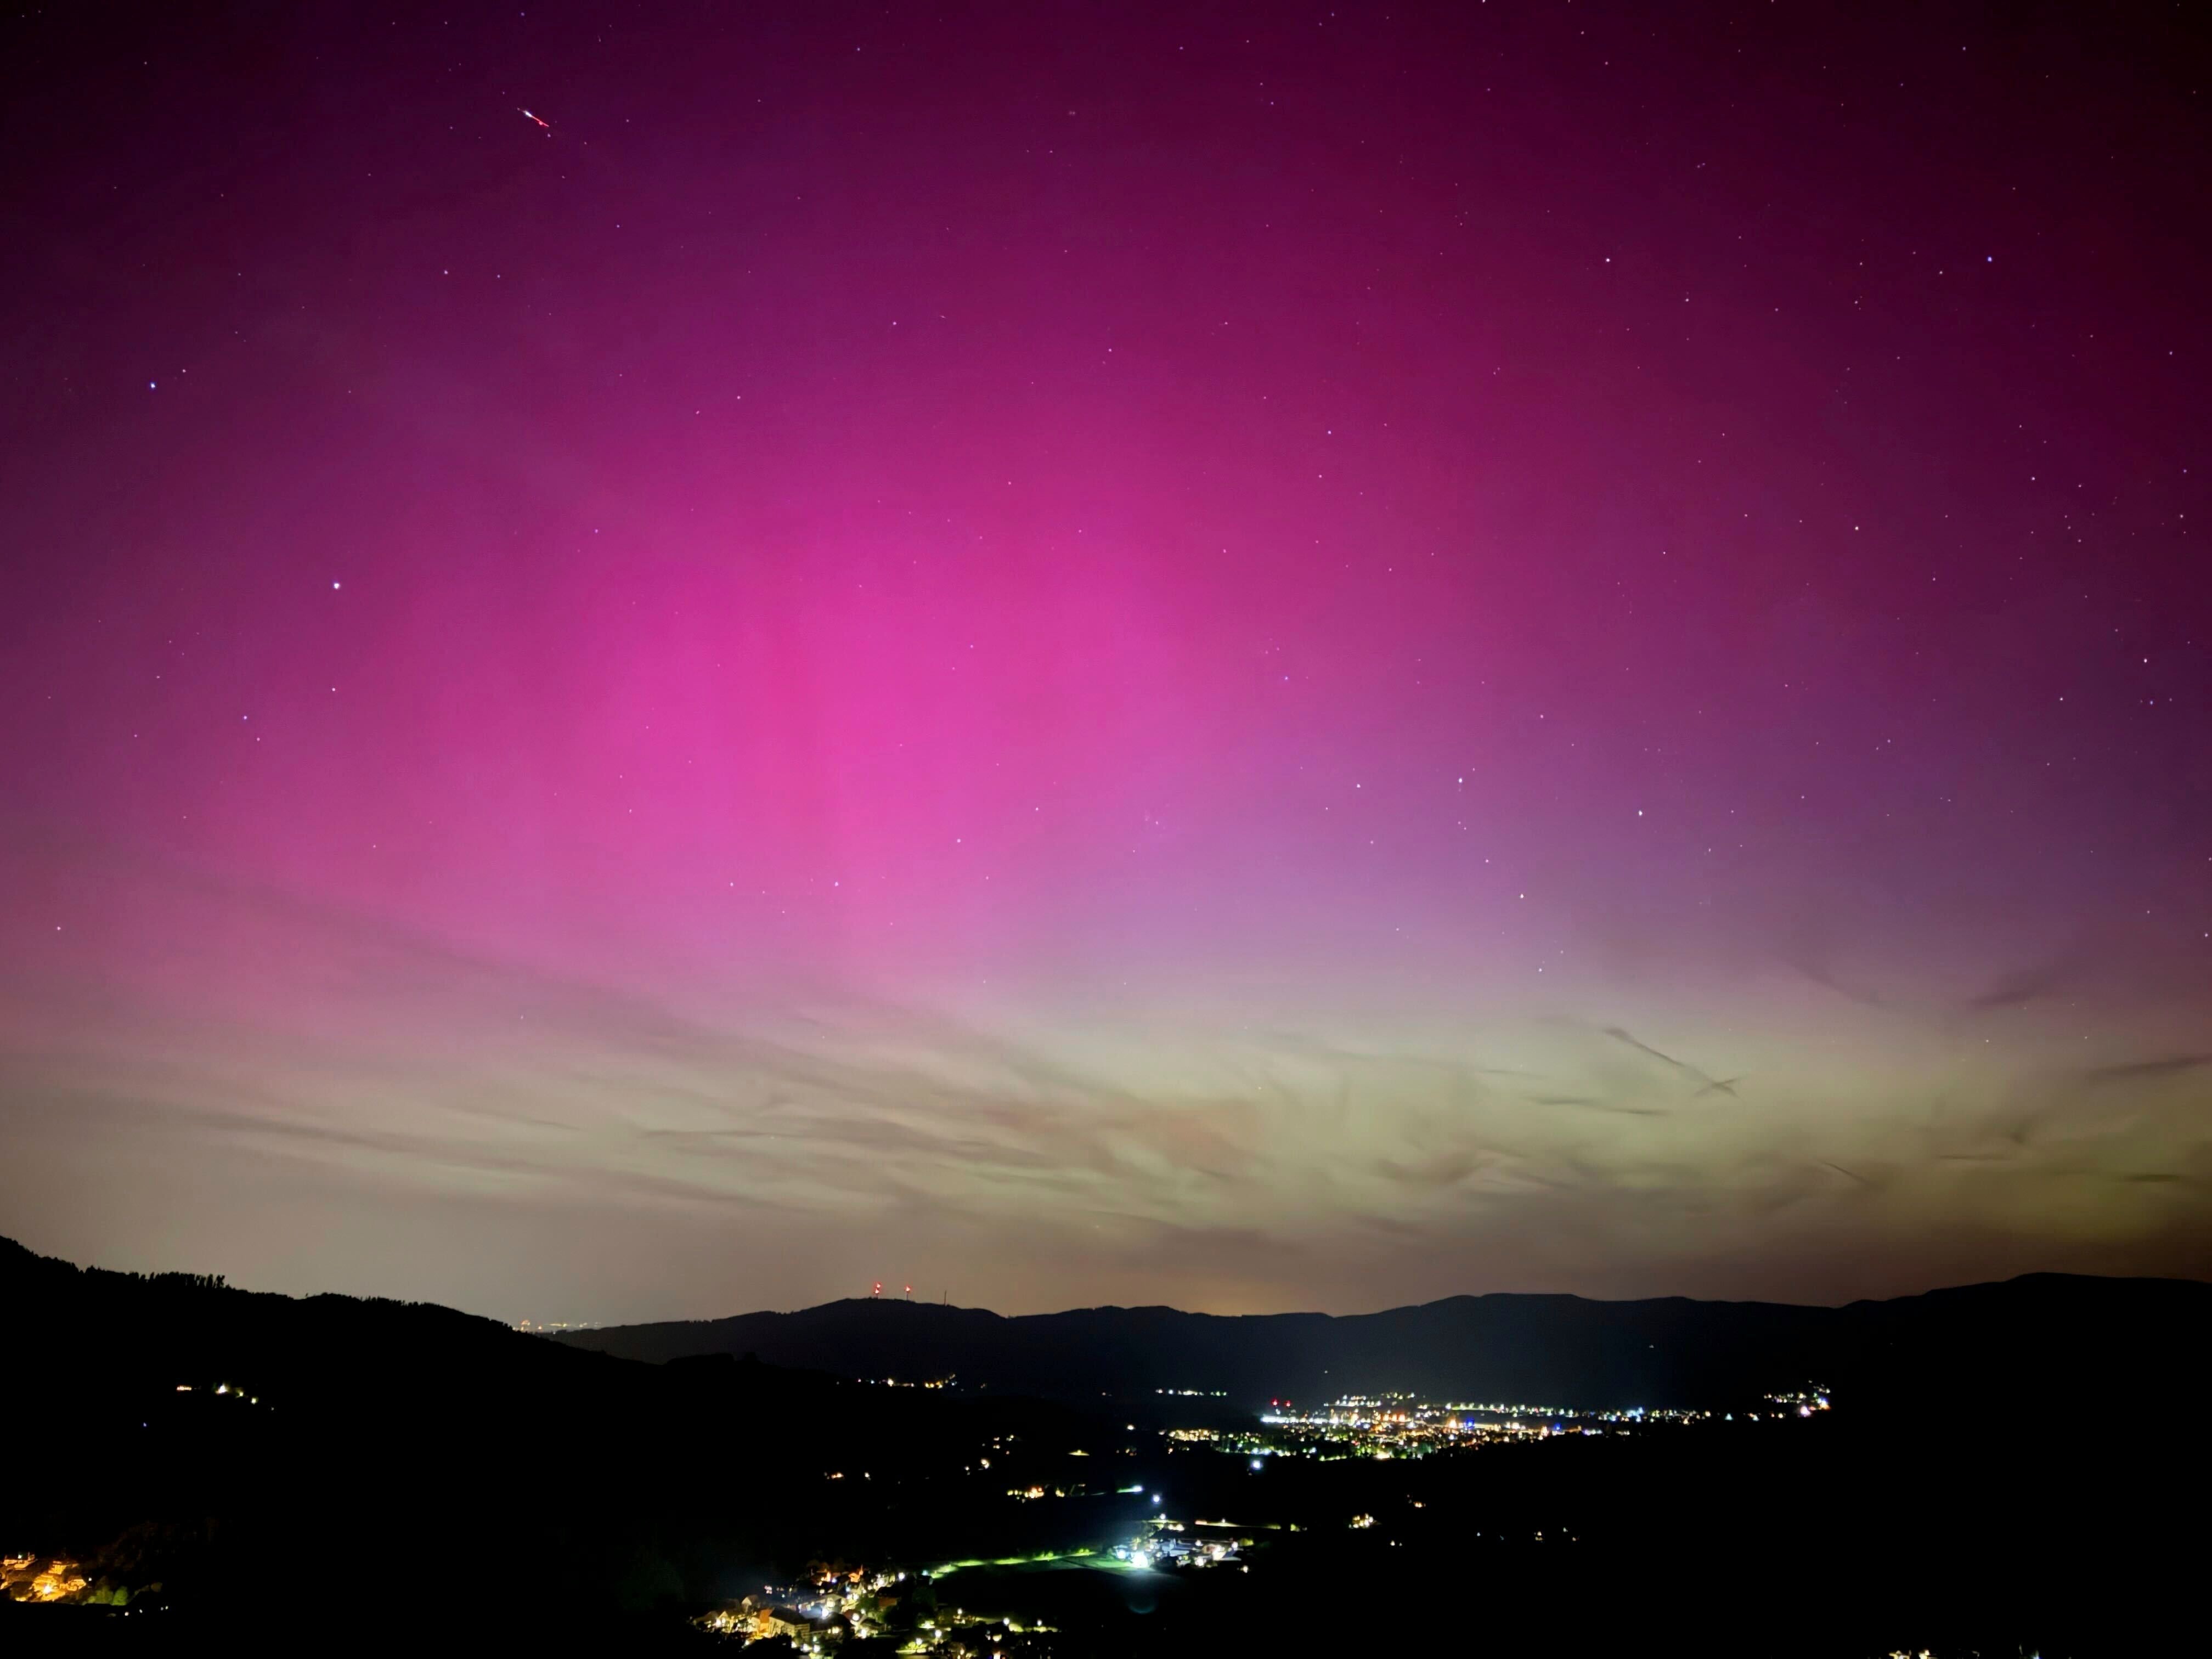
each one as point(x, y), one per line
point(2038, 1337)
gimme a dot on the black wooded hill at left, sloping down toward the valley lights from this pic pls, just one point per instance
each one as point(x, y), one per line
point(238, 1454)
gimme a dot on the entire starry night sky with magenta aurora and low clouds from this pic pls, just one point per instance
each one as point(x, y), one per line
point(1067, 654)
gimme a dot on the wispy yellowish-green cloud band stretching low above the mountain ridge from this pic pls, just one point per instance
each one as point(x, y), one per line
point(1441, 1158)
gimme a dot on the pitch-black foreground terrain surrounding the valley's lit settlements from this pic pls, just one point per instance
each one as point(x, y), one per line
point(331, 1472)
